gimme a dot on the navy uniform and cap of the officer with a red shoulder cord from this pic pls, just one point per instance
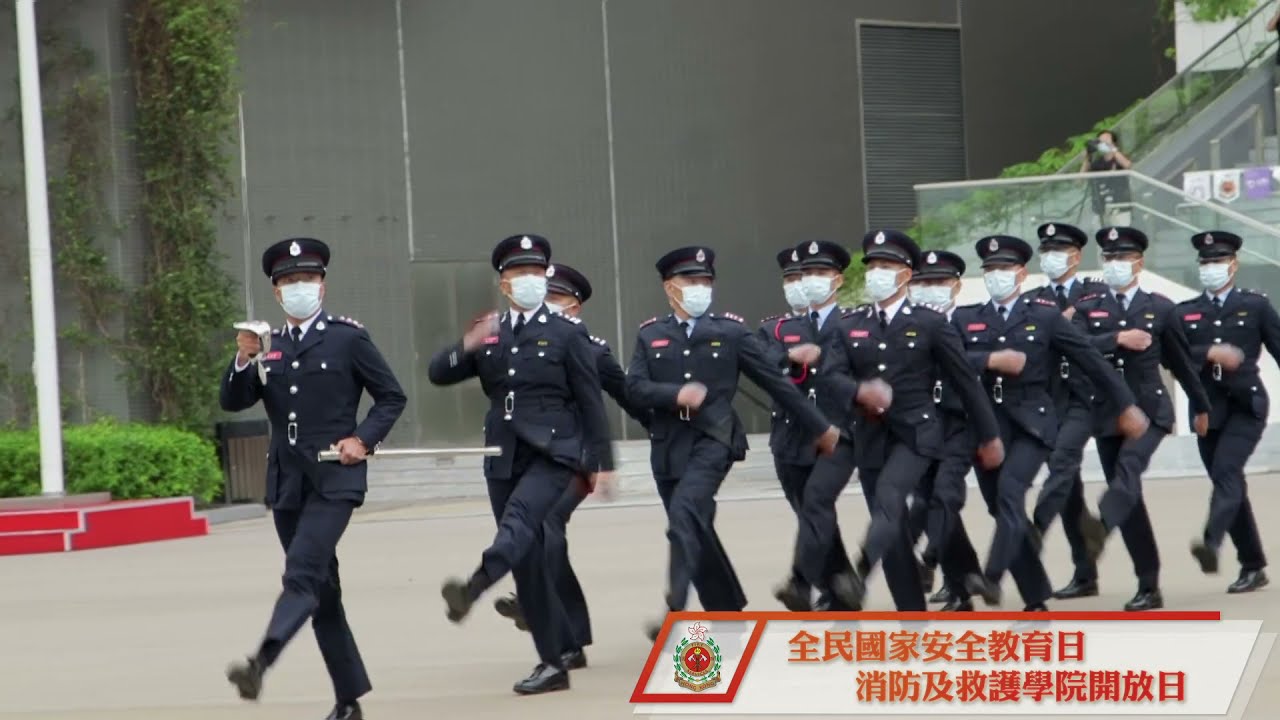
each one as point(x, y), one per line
point(817, 481)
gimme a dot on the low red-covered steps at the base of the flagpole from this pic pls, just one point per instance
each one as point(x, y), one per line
point(36, 526)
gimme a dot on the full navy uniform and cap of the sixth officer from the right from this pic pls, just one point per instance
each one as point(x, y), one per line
point(909, 348)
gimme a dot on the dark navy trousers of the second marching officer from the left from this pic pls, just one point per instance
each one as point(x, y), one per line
point(522, 507)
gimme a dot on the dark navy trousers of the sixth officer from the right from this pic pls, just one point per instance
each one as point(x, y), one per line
point(889, 539)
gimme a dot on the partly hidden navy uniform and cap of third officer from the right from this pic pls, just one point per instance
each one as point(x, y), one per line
point(1063, 493)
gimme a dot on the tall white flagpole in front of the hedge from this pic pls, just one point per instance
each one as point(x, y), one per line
point(45, 367)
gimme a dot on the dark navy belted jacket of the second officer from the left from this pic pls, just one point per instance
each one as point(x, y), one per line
point(543, 390)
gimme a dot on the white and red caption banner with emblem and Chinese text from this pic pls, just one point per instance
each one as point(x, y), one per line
point(947, 664)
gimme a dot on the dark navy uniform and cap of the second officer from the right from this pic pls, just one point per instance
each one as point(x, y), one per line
point(1104, 317)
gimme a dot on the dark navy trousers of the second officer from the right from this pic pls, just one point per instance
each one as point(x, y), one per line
point(1122, 504)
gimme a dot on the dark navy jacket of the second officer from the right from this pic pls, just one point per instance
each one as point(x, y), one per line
point(1103, 320)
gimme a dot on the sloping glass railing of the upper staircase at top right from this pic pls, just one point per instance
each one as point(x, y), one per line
point(1176, 103)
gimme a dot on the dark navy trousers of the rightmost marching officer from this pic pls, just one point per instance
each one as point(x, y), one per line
point(1224, 453)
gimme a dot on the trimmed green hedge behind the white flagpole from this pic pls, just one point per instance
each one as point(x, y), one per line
point(129, 461)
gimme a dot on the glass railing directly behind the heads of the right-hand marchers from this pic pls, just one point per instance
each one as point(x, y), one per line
point(954, 216)
